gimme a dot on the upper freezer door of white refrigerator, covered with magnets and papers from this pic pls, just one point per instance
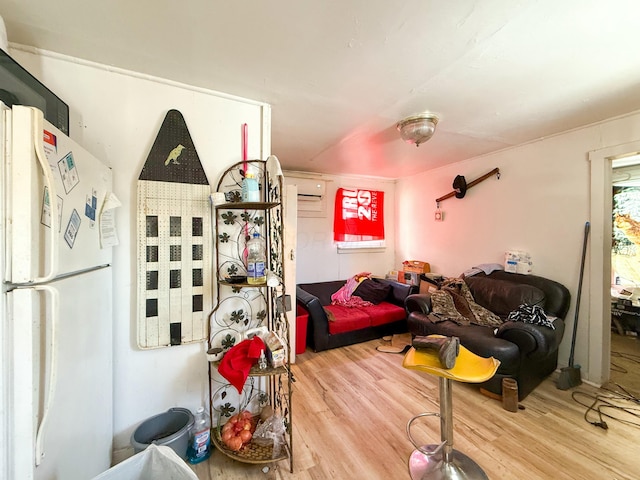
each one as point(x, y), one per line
point(55, 192)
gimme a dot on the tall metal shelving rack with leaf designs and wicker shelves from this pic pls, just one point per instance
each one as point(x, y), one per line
point(240, 306)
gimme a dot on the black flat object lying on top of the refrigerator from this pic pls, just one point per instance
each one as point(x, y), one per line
point(19, 87)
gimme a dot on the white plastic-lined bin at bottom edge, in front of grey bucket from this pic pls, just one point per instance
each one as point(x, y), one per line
point(157, 461)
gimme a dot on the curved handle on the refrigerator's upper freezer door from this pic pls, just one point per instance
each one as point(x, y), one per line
point(38, 132)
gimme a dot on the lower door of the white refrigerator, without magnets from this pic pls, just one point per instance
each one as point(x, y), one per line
point(62, 385)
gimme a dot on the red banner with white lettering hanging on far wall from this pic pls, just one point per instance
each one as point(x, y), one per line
point(358, 215)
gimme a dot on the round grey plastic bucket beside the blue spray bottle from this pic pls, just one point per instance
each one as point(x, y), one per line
point(170, 429)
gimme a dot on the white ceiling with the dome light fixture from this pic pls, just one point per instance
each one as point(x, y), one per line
point(340, 74)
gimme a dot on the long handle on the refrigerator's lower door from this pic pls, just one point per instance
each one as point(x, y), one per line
point(53, 370)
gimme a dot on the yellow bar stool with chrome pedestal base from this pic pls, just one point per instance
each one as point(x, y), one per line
point(441, 461)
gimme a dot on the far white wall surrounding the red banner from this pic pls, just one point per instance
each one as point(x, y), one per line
point(317, 257)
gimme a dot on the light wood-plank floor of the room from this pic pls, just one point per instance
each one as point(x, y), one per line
point(351, 406)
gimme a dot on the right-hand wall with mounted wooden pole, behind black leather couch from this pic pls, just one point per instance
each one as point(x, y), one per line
point(540, 204)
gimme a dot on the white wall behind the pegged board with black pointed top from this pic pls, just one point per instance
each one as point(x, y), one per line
point(116, 115)
